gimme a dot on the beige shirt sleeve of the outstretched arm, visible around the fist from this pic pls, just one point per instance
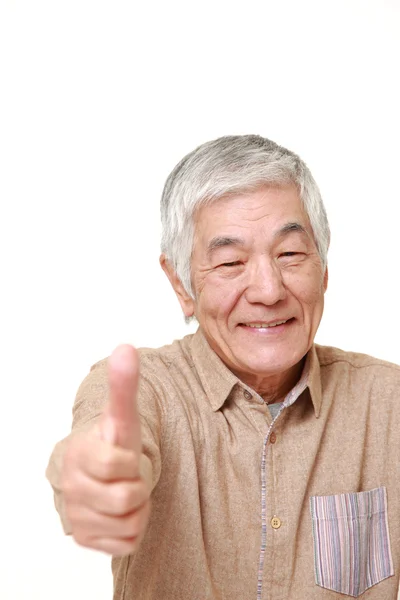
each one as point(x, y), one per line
point(90, 400)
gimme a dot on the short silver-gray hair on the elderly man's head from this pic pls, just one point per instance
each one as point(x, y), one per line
point(231, 165)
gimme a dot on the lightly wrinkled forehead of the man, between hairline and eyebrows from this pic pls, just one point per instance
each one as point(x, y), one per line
point(266, 209)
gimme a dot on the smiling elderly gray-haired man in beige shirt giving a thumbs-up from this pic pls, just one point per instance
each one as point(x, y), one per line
point(246, 462)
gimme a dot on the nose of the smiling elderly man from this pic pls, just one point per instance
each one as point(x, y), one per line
point(265, 284)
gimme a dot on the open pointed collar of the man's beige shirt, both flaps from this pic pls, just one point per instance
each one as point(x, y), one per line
point(218, 381)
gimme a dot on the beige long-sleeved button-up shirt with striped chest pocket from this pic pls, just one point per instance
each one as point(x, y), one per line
point(302, 507)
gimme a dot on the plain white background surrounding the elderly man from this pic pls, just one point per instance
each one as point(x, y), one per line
point(99, 100)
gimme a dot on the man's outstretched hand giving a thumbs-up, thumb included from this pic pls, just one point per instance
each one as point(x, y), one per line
point(107, 502)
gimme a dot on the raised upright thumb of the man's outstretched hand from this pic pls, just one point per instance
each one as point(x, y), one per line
point(120, 424)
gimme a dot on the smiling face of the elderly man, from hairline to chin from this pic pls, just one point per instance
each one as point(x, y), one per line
point(255, 264)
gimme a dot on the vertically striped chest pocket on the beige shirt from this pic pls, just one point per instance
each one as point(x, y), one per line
point(351, 541)
